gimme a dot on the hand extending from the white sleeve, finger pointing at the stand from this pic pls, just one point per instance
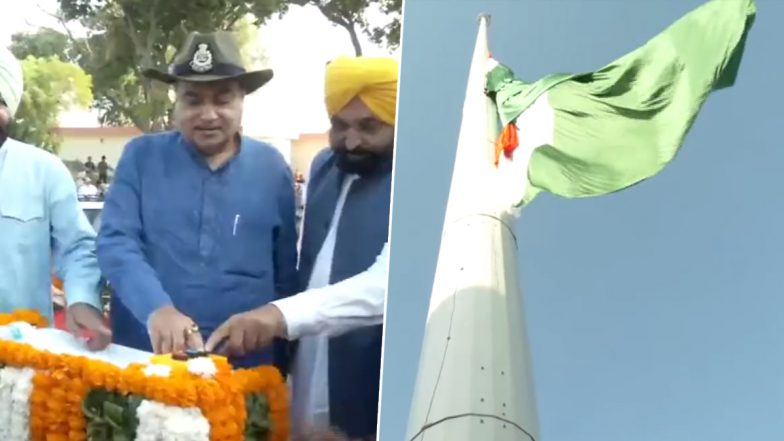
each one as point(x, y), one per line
point(248, 331)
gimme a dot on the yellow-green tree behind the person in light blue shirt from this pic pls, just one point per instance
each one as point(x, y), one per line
point(51, 87)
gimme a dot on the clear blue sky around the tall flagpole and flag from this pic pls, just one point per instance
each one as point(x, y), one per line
point(654, 314)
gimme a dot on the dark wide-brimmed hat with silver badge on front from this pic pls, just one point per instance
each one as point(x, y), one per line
point(208, 57)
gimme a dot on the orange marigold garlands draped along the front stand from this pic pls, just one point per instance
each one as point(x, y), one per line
point(62, 382)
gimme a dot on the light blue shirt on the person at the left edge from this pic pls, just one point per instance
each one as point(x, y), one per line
point(40, 224)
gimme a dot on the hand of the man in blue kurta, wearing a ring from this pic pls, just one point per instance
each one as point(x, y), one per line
point(172, 331)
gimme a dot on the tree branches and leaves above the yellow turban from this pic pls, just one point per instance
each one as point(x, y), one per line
point(351, 15)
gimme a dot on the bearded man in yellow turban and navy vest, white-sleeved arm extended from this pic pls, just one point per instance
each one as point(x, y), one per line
point(337, 318)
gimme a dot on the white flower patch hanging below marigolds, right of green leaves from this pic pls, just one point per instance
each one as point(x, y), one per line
point(158, 422)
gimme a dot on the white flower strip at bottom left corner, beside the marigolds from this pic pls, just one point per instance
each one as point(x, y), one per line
point(15, 387)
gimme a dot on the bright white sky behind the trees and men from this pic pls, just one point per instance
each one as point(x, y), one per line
point(289, 105)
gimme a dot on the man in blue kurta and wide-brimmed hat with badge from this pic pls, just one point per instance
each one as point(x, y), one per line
point(199, 223)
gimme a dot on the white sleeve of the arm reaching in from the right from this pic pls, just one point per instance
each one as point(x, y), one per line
point(341, 307)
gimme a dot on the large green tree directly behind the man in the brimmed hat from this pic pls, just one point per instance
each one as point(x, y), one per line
point(127, 36)
